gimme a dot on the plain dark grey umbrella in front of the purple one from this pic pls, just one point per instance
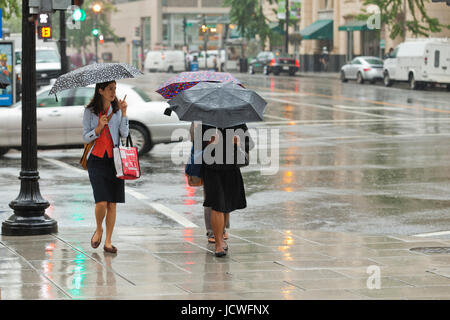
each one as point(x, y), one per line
point(220, 105)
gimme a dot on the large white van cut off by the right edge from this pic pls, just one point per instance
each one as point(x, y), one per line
point(419, 61)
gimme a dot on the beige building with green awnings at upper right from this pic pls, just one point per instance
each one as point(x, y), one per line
point(331, 24)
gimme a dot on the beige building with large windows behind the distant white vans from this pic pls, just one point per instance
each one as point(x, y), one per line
point(158, 24)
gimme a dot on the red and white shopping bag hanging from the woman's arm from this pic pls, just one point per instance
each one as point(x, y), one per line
point(126, 161)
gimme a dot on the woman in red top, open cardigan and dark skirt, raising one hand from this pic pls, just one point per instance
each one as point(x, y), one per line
point(105, 120)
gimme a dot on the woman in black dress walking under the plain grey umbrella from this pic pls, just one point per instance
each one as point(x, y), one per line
point(222, 179)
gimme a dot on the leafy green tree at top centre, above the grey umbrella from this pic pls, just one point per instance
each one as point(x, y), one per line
point(249, 17)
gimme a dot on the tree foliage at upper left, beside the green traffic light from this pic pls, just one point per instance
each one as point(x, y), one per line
point(82, 37)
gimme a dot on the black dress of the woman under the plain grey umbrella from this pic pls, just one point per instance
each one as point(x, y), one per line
point(223, 183)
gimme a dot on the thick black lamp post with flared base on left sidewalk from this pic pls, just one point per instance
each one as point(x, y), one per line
point(29, 216)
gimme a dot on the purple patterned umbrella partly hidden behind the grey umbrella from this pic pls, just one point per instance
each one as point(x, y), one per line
point(186, 80)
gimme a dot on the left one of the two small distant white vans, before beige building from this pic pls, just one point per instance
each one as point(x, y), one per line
point(165, 61)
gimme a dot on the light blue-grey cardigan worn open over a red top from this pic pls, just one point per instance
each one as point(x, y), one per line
point(118, 126)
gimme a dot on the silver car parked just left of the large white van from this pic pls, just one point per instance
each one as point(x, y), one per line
point(362, 69)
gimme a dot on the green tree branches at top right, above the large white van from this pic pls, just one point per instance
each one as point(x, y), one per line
point(393, 14)
